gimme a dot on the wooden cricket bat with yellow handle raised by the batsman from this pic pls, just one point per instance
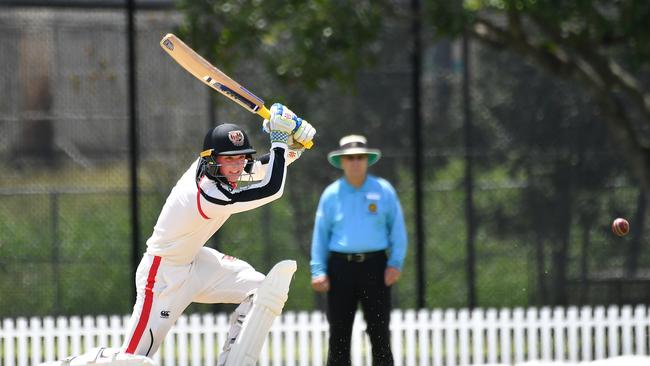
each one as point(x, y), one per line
point(215, 78)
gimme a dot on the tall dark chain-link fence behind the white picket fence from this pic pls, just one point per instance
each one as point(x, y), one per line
point(546, 184)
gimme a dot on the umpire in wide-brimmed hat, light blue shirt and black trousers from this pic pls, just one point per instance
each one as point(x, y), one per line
point(358, 248)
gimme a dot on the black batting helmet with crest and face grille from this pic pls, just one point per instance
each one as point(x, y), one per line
point(225, 139)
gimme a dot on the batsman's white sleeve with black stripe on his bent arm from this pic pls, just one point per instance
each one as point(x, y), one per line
point(218, 200)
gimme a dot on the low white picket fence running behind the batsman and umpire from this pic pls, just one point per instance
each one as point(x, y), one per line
point(425, 337)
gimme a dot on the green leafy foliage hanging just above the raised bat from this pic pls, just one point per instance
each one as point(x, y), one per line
point(297, 41)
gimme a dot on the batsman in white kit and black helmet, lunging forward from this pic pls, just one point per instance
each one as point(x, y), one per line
point(177, 269)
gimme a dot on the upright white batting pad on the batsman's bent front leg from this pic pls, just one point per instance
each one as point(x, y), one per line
point(267, 305)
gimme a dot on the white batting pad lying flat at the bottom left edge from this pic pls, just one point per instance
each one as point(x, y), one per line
point(103, 356)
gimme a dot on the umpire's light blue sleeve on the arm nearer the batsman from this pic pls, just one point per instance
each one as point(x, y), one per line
point(320, 239)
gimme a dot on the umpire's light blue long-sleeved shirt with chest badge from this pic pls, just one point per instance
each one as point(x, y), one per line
point(358, 220)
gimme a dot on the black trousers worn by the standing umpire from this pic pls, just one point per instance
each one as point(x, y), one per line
point(352, 283)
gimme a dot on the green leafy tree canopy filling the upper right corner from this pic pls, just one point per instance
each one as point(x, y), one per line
point(602, 45)
